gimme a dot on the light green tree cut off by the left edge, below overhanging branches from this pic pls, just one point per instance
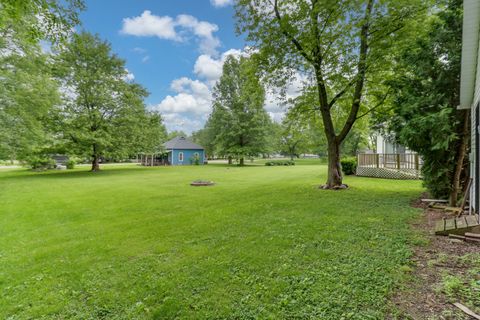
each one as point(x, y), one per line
point(27, 94)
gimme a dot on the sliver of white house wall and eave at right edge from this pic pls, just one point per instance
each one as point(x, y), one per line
point(470, 87)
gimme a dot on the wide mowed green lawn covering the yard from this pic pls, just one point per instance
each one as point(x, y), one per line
point(140, 243)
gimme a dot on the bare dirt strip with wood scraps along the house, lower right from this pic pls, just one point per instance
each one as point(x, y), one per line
point(425, 297)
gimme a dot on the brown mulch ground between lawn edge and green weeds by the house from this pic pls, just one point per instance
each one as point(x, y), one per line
point(422, 299)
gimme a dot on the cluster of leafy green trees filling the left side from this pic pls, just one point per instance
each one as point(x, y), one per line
point(75, 100)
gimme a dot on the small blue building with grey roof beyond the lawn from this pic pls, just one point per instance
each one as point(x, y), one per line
point(184, 152)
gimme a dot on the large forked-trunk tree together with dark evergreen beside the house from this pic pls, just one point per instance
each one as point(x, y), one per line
point(396, 62)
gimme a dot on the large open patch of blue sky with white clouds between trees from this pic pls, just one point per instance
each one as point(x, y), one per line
point(173, 48)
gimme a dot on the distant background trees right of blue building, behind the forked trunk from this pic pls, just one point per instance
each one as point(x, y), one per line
point(239, 126)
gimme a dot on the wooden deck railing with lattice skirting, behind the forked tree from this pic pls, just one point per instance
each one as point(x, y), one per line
point(389, 165)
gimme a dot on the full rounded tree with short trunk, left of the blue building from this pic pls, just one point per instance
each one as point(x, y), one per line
point(101, 109)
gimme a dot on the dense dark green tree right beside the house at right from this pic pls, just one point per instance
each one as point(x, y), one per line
point(427, 85)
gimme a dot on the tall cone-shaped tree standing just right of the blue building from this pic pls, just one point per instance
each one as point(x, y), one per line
point(239, 120)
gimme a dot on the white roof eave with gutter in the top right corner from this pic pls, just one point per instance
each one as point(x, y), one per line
point(470, 35)
